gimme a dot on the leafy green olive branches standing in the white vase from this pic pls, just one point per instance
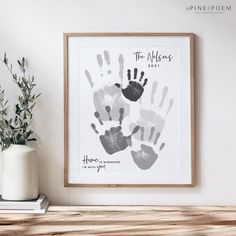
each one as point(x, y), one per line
point(17, 129)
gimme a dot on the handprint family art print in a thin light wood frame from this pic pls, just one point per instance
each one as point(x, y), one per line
point(129, 110)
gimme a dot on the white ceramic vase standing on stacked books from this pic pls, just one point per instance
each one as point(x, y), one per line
point(19, 173)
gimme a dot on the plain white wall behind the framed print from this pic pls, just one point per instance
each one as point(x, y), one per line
point(34, 29)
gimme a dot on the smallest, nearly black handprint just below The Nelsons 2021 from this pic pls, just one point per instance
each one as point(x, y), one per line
point(135, 88)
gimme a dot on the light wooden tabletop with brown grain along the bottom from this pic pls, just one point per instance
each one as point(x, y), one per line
point(123, 220)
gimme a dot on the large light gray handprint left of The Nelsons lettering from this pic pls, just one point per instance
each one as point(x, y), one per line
point(108, 94)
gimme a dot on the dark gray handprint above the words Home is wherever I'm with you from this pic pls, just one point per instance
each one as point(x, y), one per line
point(113, 140)
